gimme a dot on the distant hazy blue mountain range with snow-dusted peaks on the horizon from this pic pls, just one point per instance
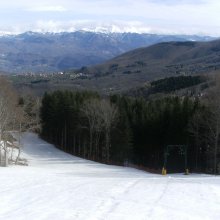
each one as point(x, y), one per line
point(48, 52)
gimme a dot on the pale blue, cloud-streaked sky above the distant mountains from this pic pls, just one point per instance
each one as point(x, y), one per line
point(152, 16)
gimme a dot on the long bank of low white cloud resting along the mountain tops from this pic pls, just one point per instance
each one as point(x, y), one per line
point(105, 27)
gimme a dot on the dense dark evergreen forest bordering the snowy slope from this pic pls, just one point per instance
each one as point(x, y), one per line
point(133, 131)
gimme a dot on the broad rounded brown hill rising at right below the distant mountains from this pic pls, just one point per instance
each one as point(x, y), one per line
point(158, 61)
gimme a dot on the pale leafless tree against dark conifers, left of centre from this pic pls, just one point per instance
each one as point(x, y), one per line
point(101, 115)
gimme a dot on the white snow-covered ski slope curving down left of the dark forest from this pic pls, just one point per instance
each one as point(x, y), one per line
point(58, 186)
